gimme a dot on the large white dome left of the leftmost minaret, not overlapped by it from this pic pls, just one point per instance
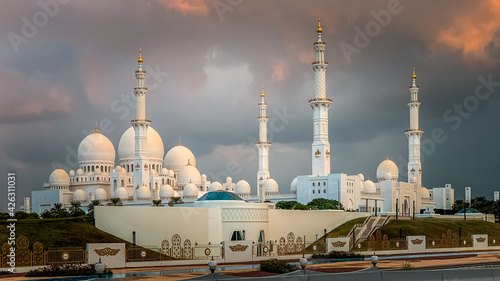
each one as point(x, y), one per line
point(96, 148)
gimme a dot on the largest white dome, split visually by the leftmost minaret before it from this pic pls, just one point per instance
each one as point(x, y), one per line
point(126, 146)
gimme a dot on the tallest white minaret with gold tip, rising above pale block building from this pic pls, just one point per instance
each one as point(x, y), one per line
point(320, 105)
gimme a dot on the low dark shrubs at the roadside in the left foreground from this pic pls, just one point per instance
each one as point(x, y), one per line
point(66, 270)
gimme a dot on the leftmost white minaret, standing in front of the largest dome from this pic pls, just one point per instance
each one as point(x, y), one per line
point(140, 124)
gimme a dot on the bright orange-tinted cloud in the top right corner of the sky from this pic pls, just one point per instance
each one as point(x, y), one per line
point(474, 31)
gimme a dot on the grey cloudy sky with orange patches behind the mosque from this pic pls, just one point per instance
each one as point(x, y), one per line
point(65, 65)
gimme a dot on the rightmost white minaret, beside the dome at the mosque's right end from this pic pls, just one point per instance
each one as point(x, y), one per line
point(414, 134)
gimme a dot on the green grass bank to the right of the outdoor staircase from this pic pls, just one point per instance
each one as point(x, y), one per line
point(433, 228)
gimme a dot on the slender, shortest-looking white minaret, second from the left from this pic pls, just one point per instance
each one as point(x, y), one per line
point(263, 146)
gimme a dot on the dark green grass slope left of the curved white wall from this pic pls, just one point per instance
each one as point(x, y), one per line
point(66, 232)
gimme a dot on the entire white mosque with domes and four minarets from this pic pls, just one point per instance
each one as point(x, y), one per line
point(144, 173)
